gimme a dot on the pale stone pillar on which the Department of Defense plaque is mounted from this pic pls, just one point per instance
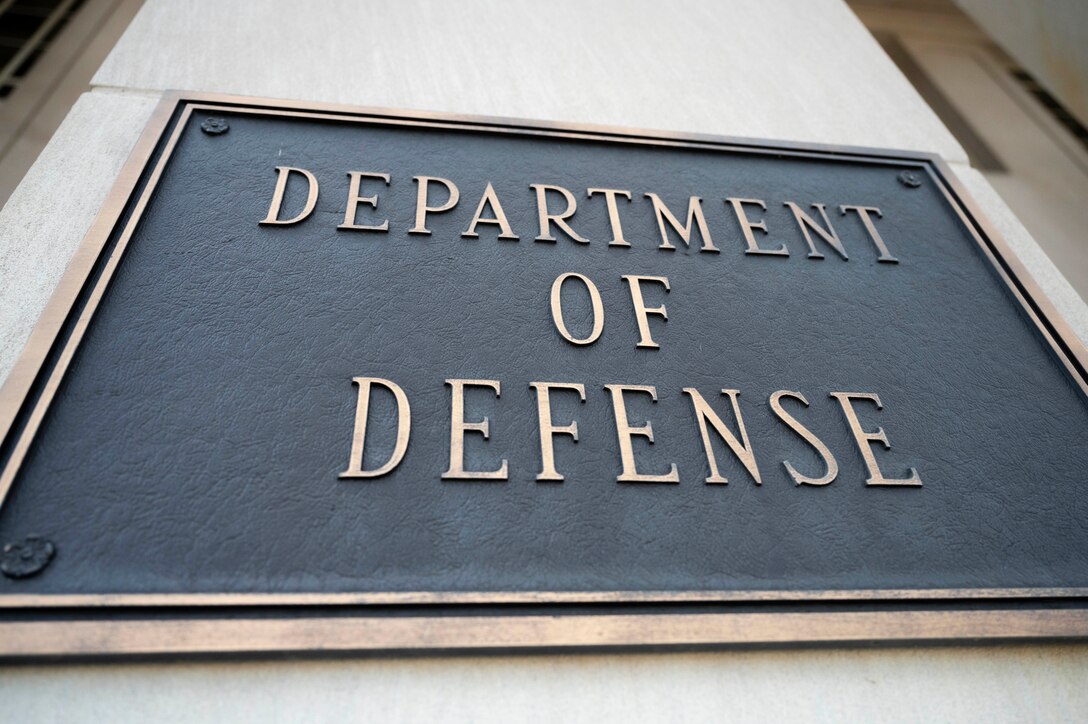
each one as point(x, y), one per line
point(765, 69)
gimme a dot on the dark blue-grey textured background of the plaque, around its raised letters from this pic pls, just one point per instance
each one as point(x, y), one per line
point(194, 445)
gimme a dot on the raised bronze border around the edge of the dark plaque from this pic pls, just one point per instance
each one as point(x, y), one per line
point(105, 624)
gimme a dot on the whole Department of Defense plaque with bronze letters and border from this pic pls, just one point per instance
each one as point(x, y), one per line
point(323, 378)
